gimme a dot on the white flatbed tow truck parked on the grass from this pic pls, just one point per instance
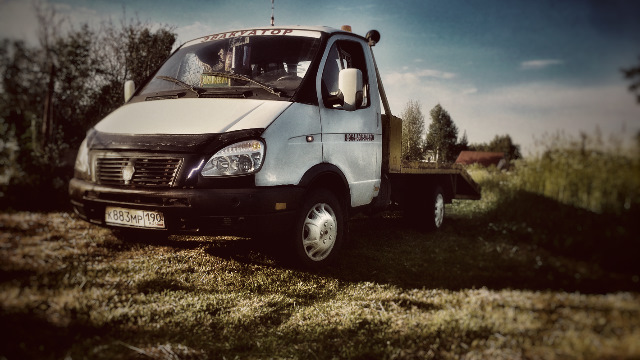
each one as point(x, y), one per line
point(258, 131)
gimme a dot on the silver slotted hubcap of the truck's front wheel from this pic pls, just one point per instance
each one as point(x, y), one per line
point(319, 232)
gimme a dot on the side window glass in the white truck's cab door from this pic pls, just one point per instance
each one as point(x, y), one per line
point(343, 55)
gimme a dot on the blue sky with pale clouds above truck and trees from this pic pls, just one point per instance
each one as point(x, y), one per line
point(529, 69)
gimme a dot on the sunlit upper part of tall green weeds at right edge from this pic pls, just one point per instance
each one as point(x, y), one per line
point(588, 173)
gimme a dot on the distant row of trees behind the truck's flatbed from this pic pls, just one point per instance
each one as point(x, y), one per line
point(440, 142)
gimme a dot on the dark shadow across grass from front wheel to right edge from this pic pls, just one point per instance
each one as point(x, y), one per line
point(525, 242)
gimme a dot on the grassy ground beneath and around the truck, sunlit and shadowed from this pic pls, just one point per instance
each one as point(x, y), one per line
point(515, 275)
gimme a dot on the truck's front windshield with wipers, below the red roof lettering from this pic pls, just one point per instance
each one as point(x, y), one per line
point(265, 63)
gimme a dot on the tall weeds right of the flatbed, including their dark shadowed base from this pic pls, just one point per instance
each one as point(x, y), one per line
point(582, 197)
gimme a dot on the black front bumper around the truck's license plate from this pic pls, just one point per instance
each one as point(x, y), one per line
point(247, 212)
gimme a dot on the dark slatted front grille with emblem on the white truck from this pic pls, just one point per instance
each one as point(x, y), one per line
point(139, 171)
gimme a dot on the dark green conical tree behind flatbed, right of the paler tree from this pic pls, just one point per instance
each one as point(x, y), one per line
point(442, 135)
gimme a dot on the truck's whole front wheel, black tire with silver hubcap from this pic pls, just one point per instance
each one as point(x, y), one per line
point(319, 230)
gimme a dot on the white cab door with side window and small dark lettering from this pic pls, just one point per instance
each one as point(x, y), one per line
point(351, 140)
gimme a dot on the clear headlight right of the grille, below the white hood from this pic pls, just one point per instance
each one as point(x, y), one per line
point(240, 158)
